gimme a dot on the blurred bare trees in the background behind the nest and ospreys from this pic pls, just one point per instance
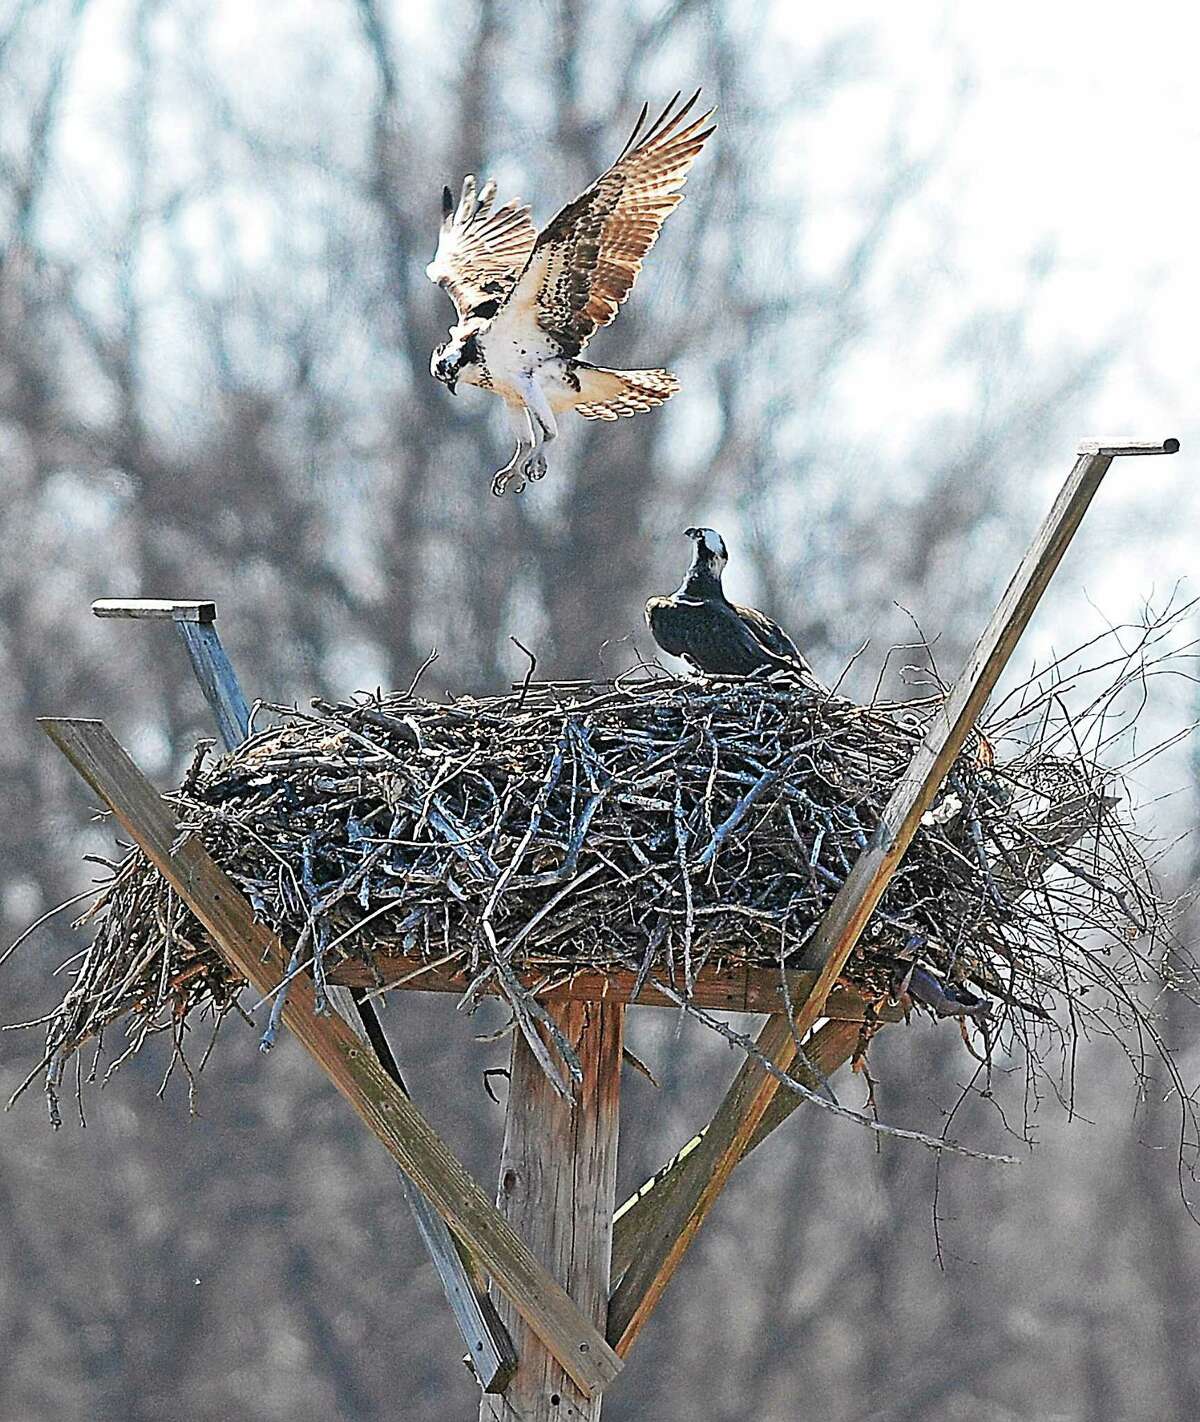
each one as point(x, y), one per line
point(215, 333)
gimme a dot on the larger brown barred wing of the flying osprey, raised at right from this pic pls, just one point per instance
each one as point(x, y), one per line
point(588, 258)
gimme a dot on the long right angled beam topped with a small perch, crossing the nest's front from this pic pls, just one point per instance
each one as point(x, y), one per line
point(706, 1172)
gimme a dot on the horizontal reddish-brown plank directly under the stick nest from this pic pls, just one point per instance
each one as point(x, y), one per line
point(726, 989)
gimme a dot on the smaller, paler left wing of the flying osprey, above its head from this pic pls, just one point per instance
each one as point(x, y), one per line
point(481, 252)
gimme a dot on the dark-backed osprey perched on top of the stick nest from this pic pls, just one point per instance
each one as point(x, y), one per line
point(716, 636)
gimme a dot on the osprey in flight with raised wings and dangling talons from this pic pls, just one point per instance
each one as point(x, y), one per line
point(528, 304)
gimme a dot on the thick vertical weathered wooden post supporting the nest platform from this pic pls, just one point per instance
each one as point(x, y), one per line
point(558, 1188)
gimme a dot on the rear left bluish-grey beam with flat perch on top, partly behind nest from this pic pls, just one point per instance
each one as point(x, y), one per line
point(490, 1349)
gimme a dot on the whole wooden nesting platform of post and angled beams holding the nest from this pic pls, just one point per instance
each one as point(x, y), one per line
point(574, 1288)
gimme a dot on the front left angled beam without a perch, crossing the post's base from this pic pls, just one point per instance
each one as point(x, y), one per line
point(258, 955)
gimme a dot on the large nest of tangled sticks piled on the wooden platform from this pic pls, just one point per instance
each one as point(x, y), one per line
point(645, 825)
